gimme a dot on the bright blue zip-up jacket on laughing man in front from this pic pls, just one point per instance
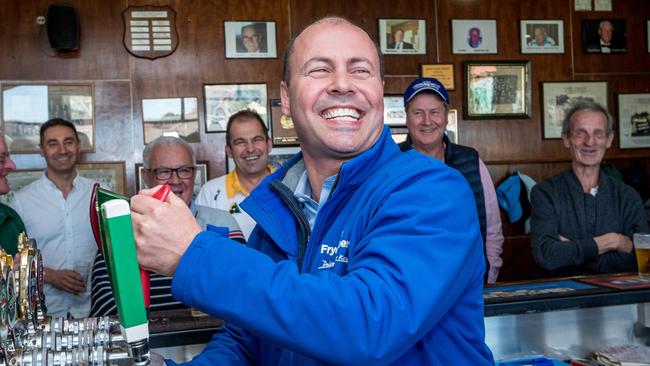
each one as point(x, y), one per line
point(392, 272)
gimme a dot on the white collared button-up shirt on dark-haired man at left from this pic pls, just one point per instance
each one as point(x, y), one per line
point(61, 228)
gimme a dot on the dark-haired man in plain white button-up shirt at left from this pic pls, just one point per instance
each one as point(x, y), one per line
point(55, 212)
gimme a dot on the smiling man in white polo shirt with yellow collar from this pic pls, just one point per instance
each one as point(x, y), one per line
point(249, 145)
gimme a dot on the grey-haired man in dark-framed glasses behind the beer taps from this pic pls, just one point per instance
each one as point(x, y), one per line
point(167, 160)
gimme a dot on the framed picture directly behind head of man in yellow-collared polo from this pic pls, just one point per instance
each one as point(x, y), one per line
point(224, 100)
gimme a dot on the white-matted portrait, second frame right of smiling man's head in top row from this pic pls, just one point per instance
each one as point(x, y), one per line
point(474, 36)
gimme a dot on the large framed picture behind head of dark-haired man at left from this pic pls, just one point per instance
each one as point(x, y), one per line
point(26, 107)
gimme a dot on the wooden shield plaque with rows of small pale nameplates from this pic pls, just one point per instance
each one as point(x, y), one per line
point(150, 31)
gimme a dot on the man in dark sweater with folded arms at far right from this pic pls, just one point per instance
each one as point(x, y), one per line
point(582, 221)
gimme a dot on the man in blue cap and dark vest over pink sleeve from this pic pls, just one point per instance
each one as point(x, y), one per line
point(426, 102)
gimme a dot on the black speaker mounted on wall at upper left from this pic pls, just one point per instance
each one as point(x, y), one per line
point(63, 27)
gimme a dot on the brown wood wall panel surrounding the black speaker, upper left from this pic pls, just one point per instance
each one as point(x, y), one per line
point(27, 53)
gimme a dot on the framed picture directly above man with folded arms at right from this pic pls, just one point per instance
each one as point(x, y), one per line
point(558, 97)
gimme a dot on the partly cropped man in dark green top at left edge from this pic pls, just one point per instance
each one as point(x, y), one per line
point(10, 223)
